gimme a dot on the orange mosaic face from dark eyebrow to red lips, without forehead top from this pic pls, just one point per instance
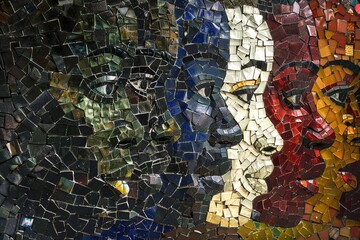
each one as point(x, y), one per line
point(336, 93)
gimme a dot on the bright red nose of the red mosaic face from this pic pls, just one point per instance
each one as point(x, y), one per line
point(319, 135)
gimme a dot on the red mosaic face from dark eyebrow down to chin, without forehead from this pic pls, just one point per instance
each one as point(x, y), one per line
point(290, 105)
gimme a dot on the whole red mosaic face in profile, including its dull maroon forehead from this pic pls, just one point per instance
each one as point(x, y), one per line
point(290, 106)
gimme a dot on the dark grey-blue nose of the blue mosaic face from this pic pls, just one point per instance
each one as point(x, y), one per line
point(224, 131)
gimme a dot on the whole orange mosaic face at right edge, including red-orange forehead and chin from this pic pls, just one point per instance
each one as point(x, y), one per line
point(337, 99)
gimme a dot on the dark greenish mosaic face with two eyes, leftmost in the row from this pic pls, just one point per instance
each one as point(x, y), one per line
point(114, 86)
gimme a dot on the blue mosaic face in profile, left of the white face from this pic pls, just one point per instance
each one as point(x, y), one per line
point(193, 91)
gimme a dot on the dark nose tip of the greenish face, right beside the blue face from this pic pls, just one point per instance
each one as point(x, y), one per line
point(165, 129)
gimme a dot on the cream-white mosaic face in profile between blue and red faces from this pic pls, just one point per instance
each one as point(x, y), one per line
point(251, 57)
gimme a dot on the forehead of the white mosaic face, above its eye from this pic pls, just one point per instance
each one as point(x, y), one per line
point(251, 45)
